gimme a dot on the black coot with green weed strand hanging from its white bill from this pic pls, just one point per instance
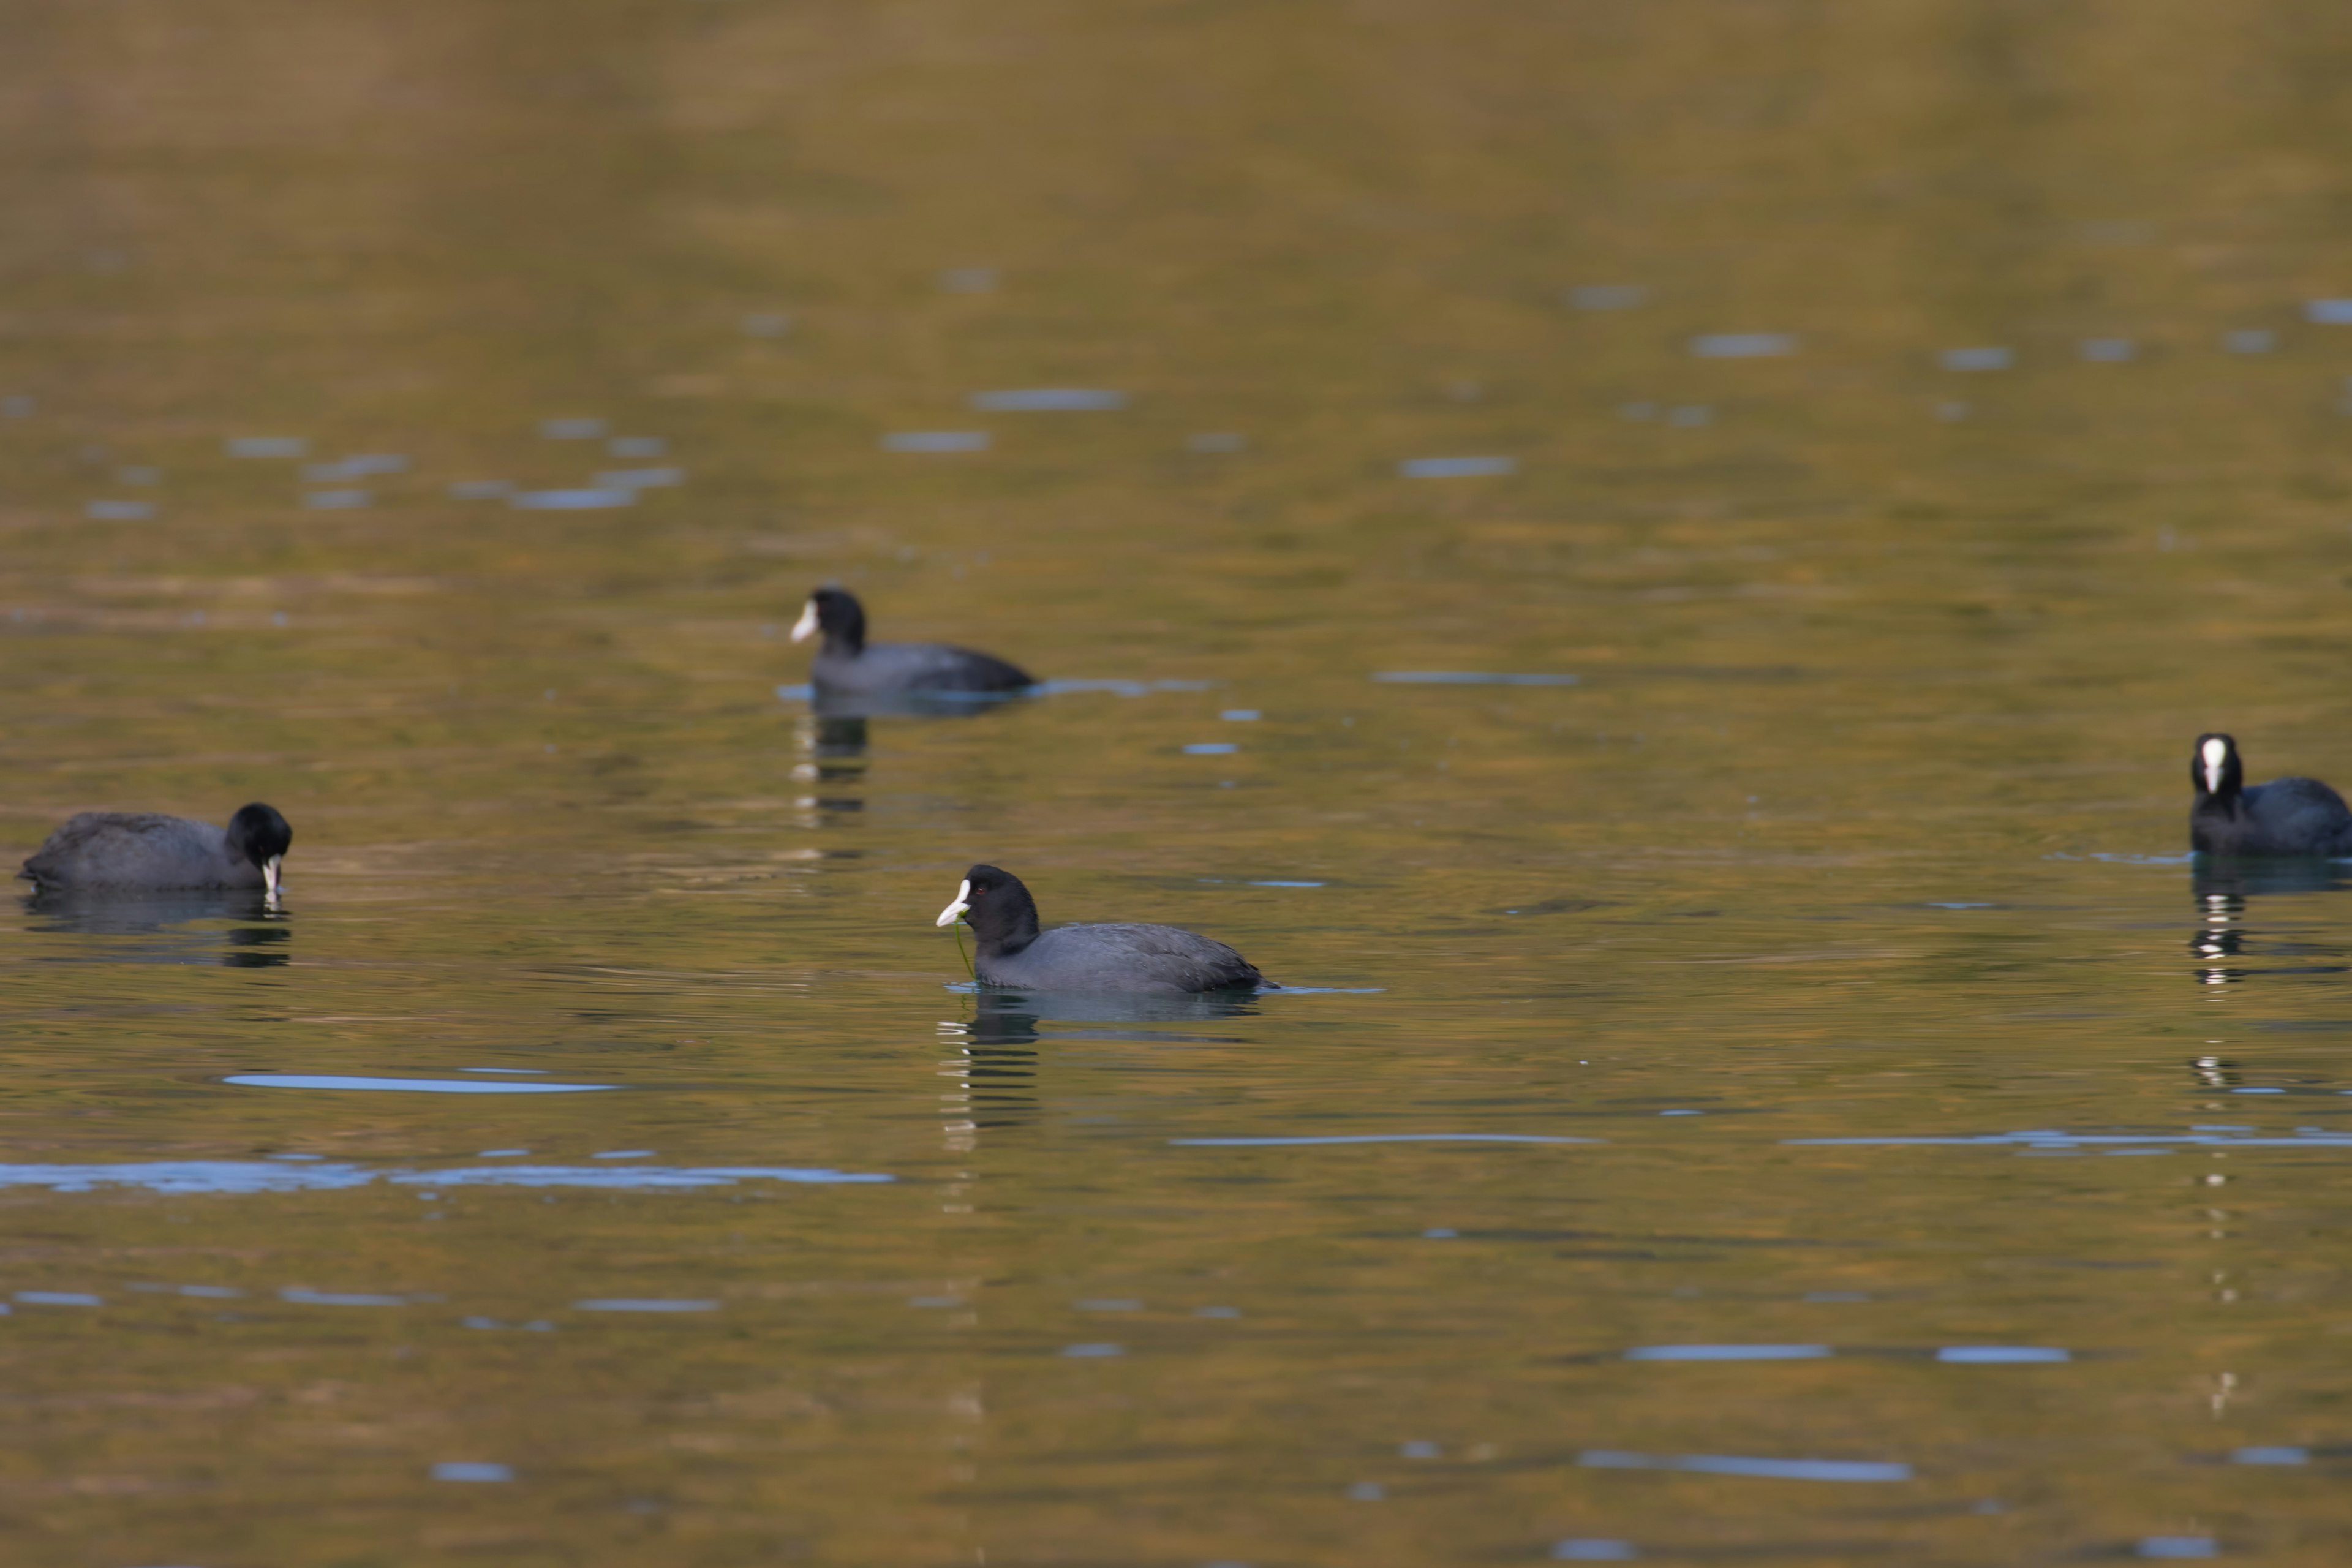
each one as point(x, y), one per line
point(1085, 958)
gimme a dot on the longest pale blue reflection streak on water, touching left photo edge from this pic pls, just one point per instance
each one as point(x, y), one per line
point(265, 1177)
